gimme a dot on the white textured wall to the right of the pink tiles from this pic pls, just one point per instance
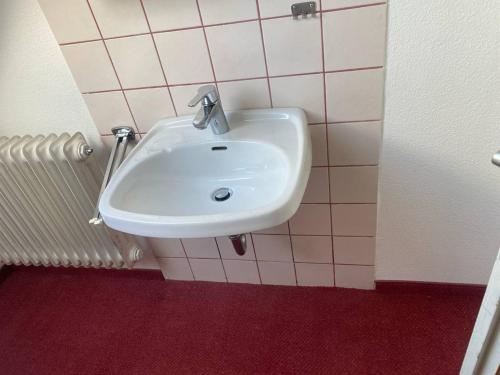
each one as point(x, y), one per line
point(439, 211)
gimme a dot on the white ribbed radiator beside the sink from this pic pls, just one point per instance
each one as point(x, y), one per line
point(48, 189)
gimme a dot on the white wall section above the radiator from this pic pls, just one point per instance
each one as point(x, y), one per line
point(37, 92)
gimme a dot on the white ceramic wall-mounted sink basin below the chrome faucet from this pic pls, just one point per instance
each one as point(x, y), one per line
point(165, 187)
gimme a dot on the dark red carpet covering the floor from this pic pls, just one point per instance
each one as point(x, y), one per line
point(111, 322)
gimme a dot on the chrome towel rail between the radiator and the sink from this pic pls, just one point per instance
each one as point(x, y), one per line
point(123, 134)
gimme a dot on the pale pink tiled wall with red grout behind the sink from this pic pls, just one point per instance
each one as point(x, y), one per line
point(136, 62)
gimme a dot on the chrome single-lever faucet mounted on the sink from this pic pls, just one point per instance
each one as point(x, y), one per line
point(211, 112)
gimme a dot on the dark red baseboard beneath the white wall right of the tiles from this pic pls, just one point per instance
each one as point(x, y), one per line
point(425, 287)
